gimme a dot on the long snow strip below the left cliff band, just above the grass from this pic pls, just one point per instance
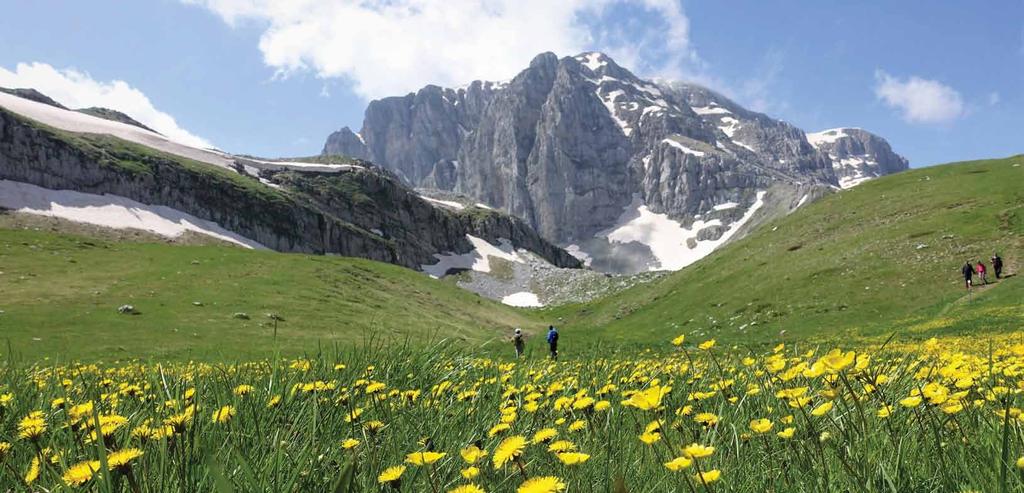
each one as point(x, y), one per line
point(111, 212)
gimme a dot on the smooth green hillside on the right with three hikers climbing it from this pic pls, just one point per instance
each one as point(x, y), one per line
point(884, 257)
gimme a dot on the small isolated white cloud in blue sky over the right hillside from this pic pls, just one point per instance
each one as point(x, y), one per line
point(920, 101)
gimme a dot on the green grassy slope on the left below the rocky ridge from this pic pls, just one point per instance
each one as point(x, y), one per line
point(60, 296)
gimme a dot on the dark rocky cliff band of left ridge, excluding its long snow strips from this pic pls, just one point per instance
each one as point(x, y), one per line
point(364, 212)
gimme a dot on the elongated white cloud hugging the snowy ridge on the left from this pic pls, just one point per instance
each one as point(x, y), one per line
point(76, 90)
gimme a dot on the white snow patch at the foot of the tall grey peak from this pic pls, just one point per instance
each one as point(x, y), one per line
point(667, 238)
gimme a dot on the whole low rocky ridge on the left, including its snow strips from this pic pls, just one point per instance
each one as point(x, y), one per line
point(74, 166)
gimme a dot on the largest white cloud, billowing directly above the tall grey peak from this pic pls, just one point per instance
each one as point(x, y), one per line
point(388, 48)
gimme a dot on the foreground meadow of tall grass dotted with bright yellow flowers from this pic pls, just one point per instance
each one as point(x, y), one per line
point(940, 416)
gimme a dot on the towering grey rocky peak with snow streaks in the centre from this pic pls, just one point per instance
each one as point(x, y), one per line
point(628, 174)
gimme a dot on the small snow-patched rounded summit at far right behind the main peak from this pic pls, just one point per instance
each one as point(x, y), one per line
point(858, 155)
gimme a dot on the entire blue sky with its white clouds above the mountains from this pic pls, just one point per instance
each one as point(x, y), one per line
point(274, 78)
